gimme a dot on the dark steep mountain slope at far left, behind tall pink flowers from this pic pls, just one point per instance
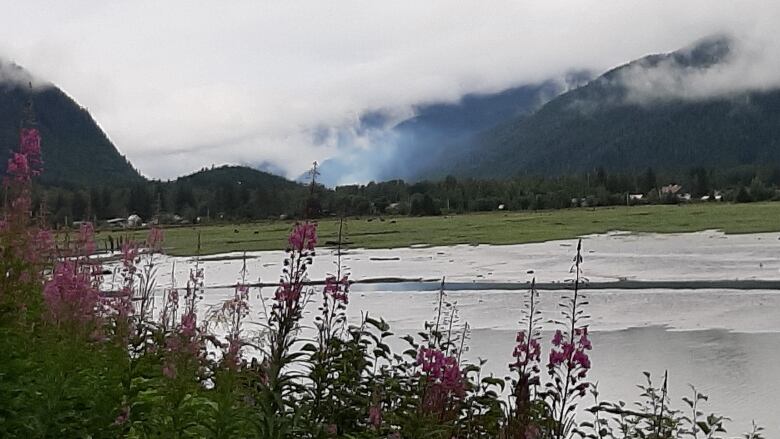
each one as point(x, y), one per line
point(74, 148)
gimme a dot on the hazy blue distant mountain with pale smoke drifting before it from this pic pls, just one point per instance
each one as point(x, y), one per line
point(417, 146)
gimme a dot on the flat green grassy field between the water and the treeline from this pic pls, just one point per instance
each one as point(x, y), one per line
point(479, 228)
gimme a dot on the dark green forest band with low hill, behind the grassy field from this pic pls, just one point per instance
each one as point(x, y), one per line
point(232, 193)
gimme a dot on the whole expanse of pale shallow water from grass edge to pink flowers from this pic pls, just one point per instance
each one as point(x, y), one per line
point(723, 341)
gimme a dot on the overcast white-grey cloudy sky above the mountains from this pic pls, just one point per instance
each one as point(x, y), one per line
point(179, 85)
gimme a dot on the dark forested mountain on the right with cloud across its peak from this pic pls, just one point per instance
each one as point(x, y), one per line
point(639, 115)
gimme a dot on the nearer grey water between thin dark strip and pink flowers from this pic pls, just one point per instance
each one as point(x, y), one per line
point(723, 342)
